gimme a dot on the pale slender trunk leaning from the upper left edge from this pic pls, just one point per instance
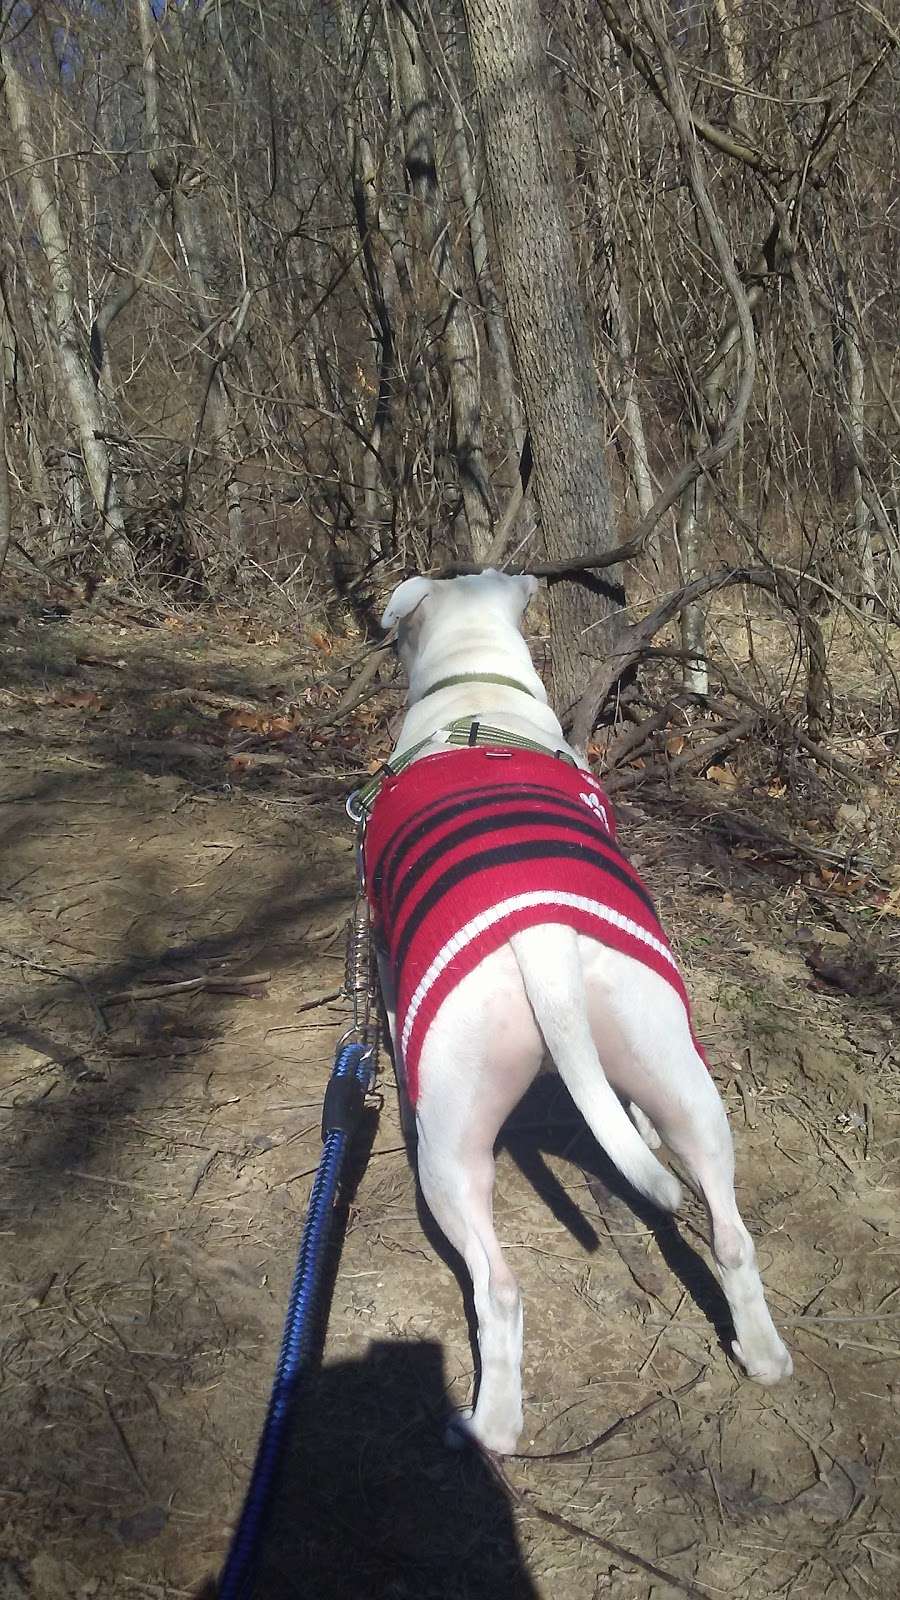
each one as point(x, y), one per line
point(71, 356)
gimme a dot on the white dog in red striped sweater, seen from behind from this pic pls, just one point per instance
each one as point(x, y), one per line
point(552, 948)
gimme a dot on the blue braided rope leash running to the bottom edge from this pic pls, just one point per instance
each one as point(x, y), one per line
point(345, 1098)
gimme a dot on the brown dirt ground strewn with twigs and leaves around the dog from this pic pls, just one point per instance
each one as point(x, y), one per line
point(159, 1145)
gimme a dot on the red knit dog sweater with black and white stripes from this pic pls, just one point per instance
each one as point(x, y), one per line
point(467, 847)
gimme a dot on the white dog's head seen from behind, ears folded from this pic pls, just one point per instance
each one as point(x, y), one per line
point(420, 607)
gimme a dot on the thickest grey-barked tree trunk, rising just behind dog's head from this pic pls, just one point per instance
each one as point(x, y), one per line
point(548, 327)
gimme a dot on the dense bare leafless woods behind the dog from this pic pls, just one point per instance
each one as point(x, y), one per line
point(268, 332)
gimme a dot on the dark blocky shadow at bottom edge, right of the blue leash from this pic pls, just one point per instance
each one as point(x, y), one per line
point(374, 1505)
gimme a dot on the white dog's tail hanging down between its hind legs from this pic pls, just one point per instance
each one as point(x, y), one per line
point(552, 972)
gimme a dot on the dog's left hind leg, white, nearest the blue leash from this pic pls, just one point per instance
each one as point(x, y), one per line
point(480, 1057)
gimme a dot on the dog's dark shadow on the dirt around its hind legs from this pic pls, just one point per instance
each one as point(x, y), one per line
point(547, 1126)
